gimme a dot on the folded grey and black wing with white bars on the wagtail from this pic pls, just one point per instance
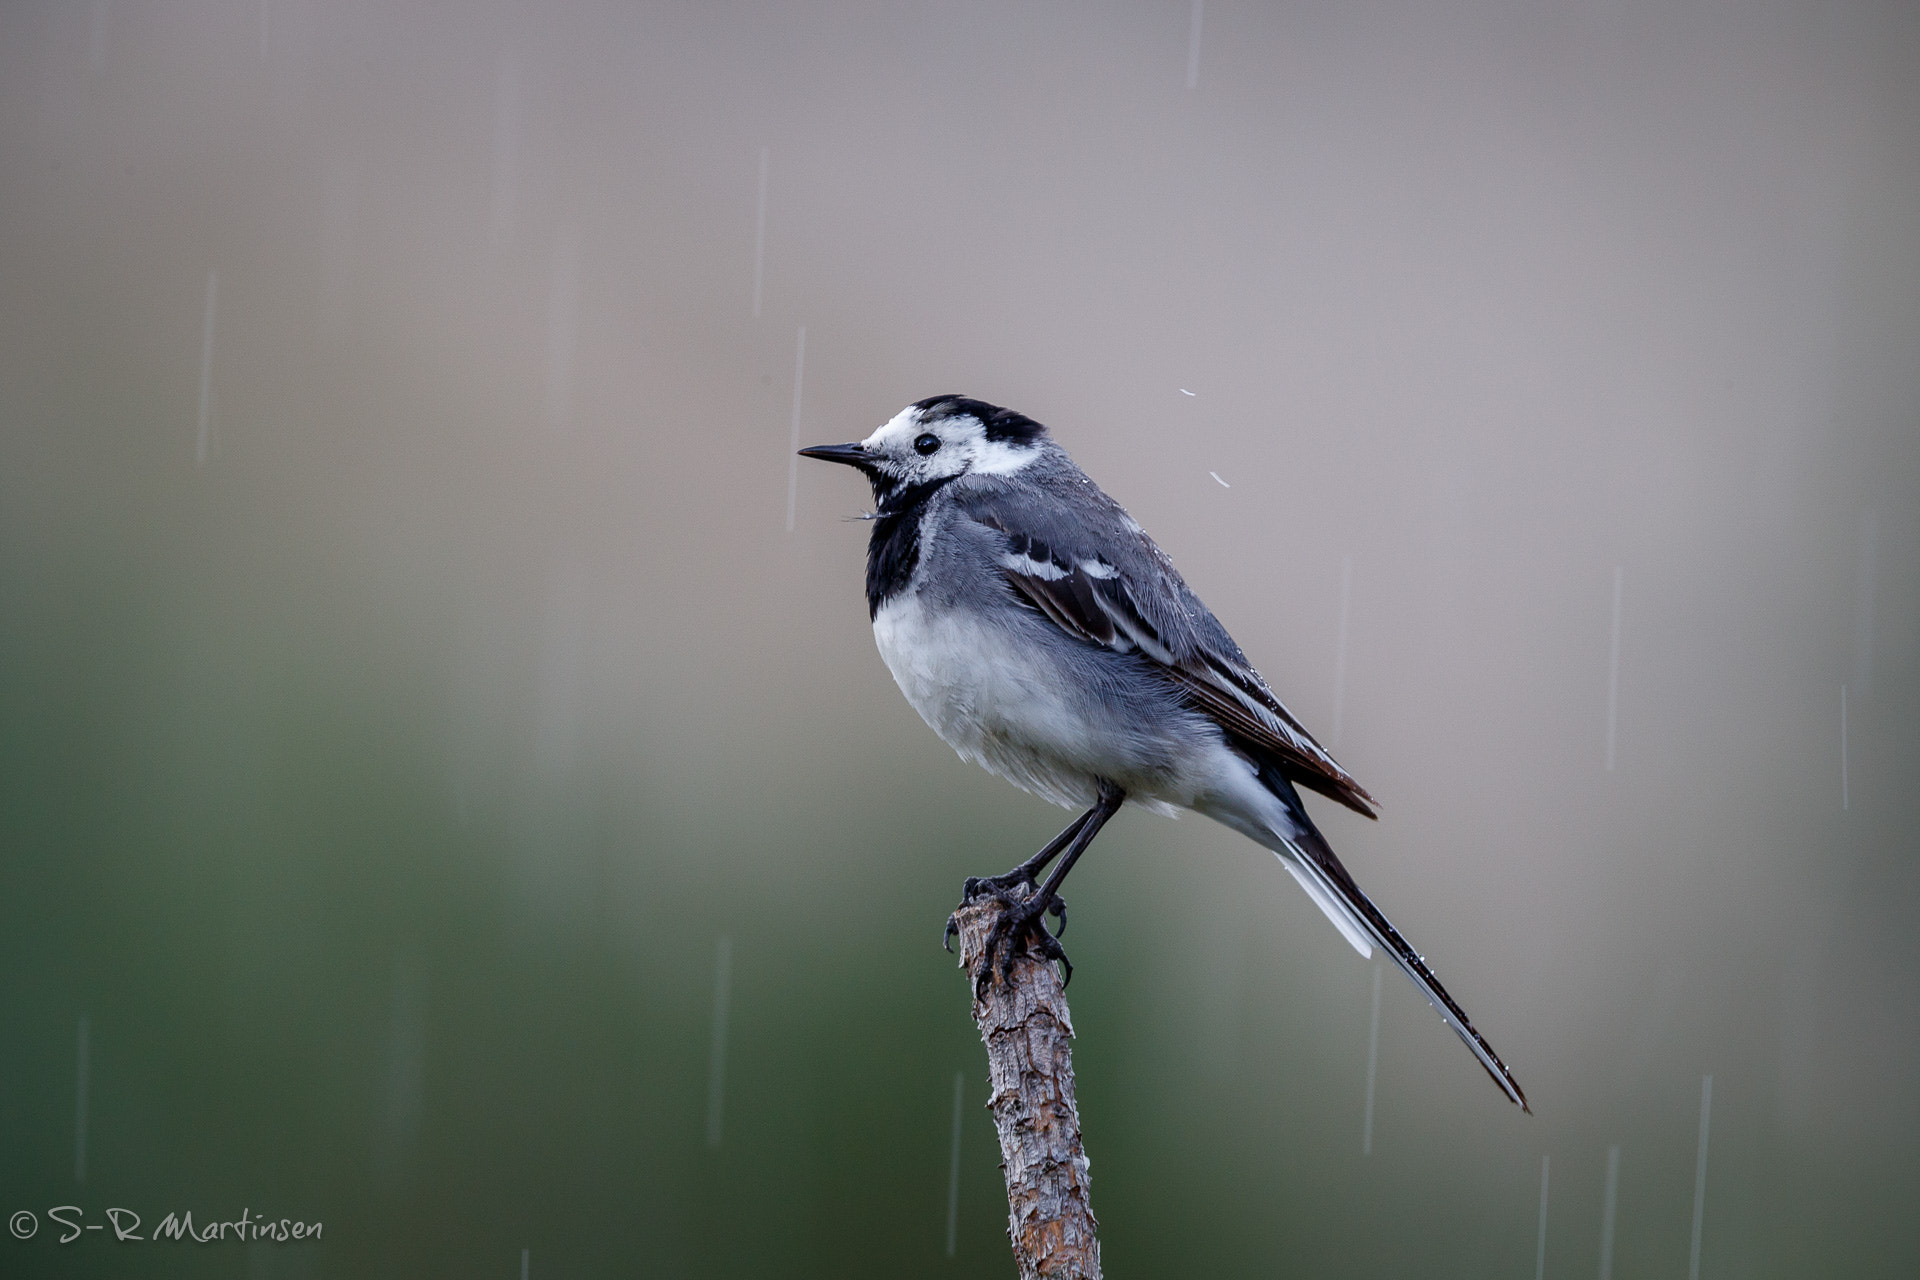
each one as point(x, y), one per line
point(1103, 581)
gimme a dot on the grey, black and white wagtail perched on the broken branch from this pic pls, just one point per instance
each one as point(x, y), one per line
point(1042, 634)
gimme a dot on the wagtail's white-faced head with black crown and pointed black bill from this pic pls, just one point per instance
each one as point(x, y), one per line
point(938, 440)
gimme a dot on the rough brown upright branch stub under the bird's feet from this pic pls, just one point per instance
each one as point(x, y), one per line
point(1028, 1033)
